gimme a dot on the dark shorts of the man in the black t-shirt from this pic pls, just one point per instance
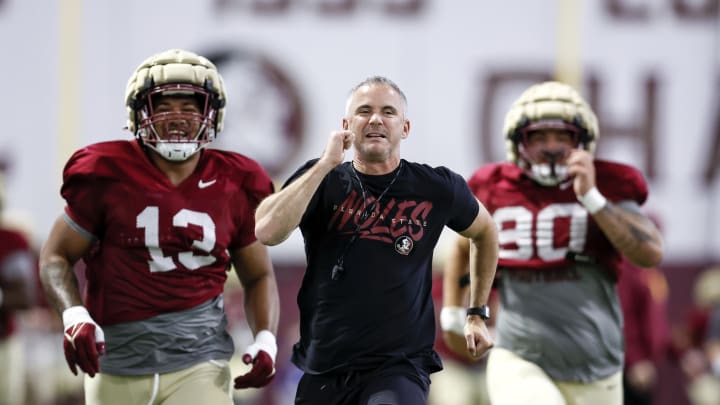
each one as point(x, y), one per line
point(397, 384)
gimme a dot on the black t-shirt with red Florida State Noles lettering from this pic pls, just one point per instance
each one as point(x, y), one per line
point(381, 307)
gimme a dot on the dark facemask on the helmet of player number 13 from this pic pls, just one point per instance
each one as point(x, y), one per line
point(176, 136)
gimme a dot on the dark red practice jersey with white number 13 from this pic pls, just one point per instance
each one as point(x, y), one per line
point(160, 248)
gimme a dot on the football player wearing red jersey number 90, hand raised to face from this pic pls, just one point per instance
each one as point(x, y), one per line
point(565, 220)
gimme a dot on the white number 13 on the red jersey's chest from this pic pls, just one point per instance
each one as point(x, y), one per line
point(149, 219)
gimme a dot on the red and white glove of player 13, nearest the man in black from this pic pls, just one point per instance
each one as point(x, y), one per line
point(262, 356)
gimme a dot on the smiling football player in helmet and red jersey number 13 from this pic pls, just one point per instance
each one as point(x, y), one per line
point(158, 221)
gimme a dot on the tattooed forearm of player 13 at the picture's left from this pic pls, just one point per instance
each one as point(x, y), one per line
point(59, 282)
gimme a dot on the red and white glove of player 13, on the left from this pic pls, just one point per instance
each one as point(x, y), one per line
point(84, 341)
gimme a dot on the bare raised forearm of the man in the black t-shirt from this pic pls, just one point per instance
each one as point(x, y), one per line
point(280, 213)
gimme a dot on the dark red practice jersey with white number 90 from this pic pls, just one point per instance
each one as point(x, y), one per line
point(542, 227)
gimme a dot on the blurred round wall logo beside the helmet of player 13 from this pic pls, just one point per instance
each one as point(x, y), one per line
point(263, 118)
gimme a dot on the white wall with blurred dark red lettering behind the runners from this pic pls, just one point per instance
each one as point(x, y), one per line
point(651, 69)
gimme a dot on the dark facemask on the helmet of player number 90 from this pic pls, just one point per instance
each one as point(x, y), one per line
point(546, 164)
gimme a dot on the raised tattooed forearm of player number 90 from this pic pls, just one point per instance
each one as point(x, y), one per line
point(633, 234)
